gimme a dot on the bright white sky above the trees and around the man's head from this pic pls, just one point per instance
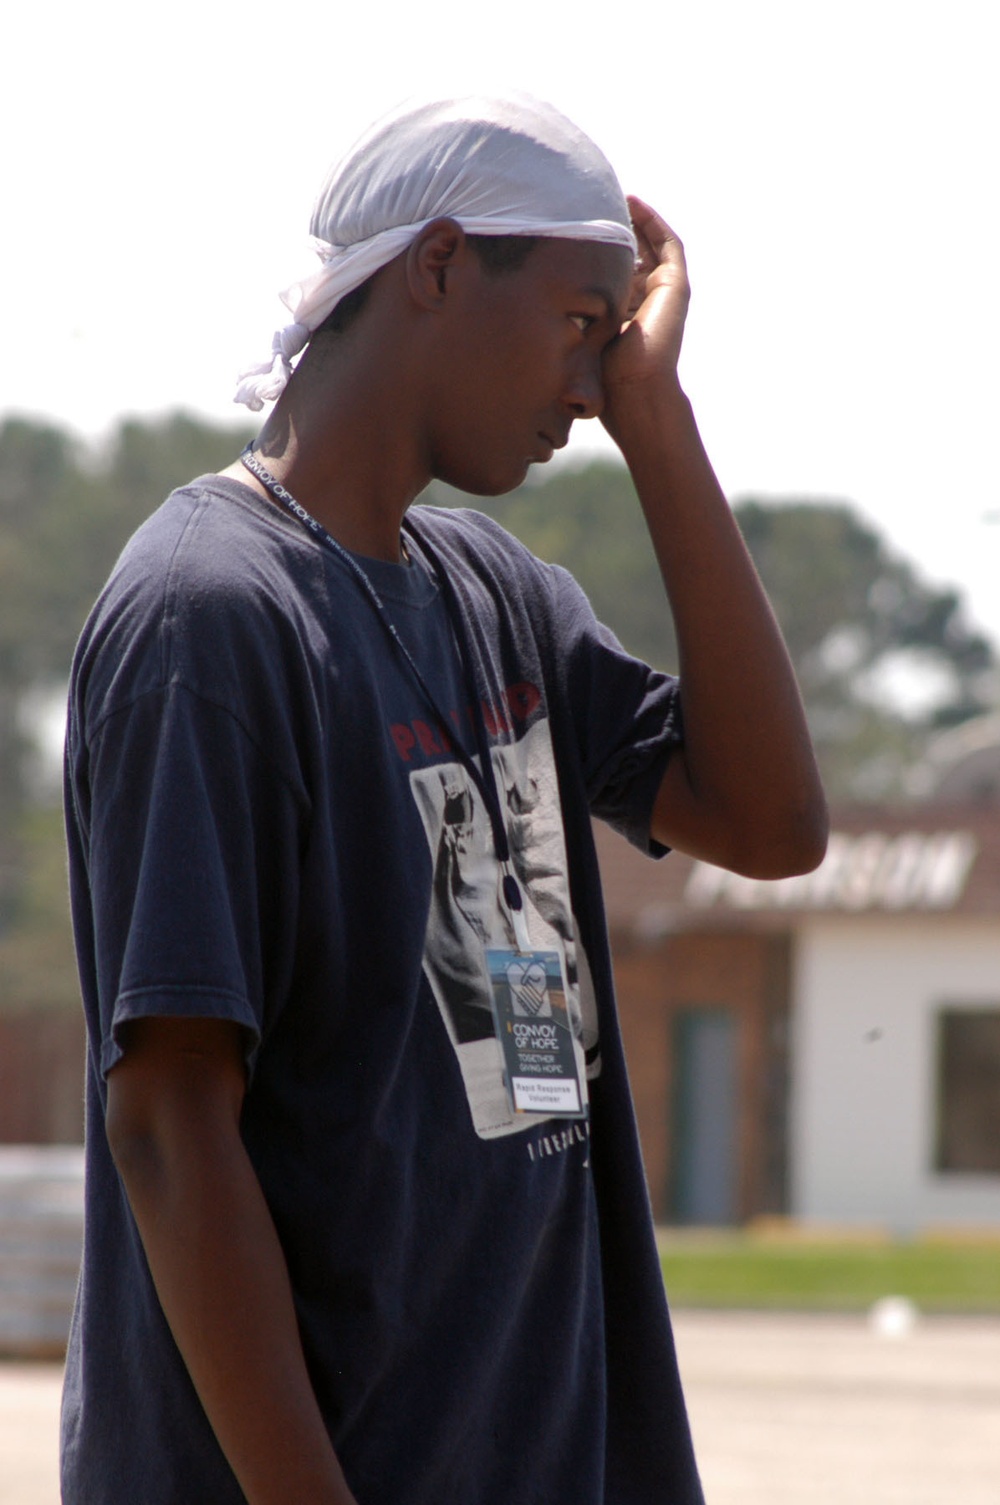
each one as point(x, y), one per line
point(832, 169)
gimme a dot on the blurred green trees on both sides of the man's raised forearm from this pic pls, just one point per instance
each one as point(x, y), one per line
point(883, 658)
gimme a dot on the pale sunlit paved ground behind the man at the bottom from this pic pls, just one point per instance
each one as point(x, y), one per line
point(787, 1411)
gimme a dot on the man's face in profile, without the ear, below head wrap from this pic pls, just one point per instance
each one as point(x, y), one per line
point(520, 360)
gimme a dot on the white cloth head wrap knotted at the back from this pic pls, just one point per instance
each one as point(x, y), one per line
point(505, 165)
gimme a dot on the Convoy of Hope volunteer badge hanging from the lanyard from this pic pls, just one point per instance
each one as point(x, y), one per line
point(543, 1060)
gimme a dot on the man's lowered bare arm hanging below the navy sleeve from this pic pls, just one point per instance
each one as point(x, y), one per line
point(216, 1260)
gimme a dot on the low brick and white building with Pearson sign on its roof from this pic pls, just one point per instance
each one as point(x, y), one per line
point(825, 1047)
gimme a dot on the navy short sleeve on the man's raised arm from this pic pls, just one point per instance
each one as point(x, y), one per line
point(626, 716)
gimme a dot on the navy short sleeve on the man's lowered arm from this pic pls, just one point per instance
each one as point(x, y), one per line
point(192, 854)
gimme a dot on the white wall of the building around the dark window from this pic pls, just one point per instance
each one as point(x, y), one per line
point(862, 1123)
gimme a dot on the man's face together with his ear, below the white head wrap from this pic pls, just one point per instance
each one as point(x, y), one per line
point(501, 363)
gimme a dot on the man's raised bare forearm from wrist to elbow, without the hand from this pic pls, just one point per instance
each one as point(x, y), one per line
point(748, 752)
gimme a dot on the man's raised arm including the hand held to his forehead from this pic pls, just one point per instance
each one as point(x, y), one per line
point(745, 791)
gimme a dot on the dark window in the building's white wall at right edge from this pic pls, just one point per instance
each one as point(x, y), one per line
point(969, 1090)
